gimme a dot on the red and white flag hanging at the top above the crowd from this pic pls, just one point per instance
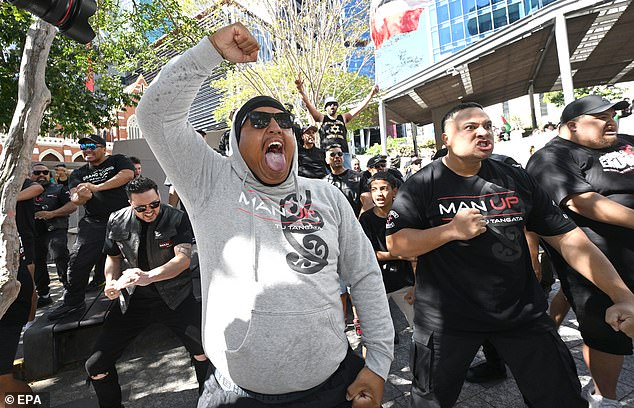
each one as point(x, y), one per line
point(393, 17)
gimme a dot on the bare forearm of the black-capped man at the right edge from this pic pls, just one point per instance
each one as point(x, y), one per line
point(600, 208)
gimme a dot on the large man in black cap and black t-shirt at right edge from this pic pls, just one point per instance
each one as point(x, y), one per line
point(589, 171)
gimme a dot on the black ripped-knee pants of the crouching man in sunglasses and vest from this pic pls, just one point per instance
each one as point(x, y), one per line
point(119, 330)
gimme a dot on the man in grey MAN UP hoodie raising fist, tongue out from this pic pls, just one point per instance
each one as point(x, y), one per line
point(272, 248)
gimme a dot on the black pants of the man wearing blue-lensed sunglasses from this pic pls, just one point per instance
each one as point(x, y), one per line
point(86, 252)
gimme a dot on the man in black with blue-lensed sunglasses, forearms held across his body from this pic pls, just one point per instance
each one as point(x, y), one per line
point(100, 187)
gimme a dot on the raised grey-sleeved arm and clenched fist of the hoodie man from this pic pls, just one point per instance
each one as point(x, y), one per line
point(164, 107)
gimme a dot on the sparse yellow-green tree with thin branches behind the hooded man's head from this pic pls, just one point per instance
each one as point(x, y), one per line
point(316, 41)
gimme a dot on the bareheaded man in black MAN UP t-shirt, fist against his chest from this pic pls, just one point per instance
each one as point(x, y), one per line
point(464, 217)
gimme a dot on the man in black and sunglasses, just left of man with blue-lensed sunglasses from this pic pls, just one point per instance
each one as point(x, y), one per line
point(52, 209)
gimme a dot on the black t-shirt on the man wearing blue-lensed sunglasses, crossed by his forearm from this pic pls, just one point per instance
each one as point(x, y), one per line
point(105, 202)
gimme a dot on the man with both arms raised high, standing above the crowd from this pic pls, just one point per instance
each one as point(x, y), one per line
point(333, 126)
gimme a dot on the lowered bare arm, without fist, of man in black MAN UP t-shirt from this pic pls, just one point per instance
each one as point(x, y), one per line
point(582, 255)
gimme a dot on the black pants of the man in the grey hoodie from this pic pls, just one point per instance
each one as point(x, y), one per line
point(330, 394)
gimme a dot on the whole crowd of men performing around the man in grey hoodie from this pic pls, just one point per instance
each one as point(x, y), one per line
point(289, 232)
